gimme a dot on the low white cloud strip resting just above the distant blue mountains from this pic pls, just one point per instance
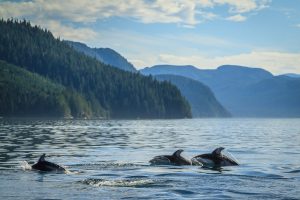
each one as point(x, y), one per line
point(276, 62)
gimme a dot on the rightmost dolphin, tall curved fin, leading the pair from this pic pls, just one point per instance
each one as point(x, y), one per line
point(215, 159)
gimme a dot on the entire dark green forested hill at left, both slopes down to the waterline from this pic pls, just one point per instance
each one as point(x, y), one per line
point(71, 83)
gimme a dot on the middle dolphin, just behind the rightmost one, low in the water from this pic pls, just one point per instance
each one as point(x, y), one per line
point(174, 159)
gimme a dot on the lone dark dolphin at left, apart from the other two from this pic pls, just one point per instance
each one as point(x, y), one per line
point(47, 166)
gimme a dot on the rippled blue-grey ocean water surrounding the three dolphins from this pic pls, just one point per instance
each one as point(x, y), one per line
point(109, 159)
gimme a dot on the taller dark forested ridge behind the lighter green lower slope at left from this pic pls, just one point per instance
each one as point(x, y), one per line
point(121, 94)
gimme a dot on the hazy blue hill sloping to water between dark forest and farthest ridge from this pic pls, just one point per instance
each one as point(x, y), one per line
point(202, 100)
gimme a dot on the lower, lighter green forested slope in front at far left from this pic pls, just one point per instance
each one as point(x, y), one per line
point(24, 94)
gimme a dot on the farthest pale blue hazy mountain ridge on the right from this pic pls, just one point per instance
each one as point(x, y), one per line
point(237, 88)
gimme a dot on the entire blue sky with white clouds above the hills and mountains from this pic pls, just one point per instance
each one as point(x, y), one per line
point(203, 33)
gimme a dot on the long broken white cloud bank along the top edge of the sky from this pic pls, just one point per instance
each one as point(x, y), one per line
point(187, 12)
